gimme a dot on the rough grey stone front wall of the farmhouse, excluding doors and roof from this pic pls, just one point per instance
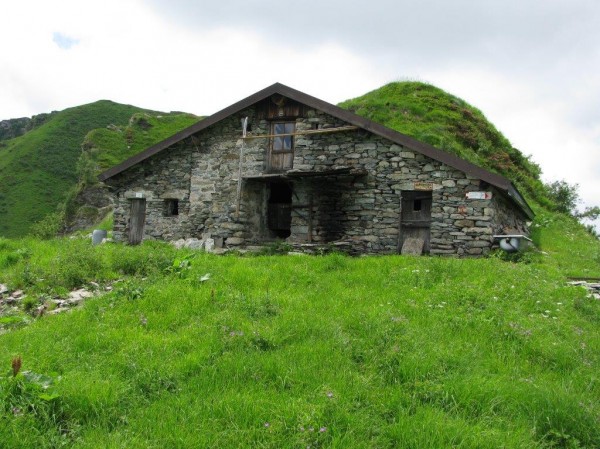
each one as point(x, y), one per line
point(202, 173)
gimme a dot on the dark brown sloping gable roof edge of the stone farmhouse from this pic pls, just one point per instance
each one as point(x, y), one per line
point(498, 181)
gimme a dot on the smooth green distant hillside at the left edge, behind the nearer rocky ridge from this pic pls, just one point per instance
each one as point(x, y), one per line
point(39, 167)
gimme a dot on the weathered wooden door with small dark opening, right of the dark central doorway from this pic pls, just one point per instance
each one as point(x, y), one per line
point(416, 217)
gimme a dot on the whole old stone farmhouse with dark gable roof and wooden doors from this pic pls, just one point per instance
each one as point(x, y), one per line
point(282, 164)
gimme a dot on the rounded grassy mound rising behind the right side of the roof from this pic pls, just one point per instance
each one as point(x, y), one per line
point(431, 115)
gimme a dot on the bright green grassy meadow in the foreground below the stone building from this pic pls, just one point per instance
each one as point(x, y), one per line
point(375, 352)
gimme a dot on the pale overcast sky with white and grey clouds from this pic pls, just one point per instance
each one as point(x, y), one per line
point(531, 66)
